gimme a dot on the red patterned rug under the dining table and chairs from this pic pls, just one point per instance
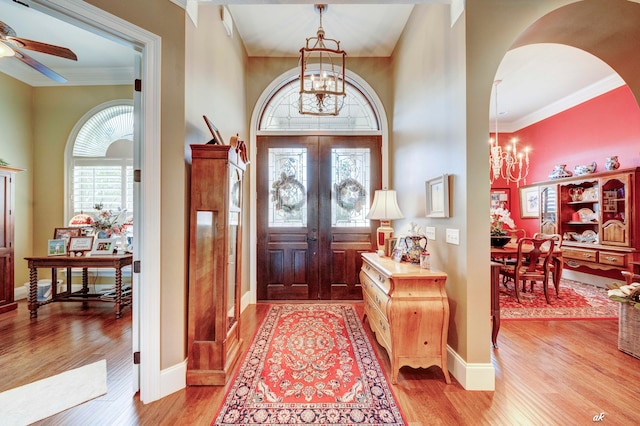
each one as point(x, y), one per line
point(577, 301)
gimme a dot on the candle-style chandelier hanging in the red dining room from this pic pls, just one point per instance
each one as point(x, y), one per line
point(507, 162)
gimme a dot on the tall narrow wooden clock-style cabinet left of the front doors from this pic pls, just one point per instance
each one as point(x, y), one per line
point(213, 335)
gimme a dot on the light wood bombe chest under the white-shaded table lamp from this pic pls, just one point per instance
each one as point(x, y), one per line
point(408, 310)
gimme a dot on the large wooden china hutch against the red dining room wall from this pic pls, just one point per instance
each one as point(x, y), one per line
point(596, 214)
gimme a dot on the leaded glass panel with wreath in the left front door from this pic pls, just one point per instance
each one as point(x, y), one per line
point(288, 183)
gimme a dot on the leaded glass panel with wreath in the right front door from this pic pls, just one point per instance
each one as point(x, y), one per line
point(350, 178)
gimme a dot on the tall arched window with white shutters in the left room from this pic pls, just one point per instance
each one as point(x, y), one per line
point(100, 161)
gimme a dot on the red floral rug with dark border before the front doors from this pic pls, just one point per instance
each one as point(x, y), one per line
point(310, 364)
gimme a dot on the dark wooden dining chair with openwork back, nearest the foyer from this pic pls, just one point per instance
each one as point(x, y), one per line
point(532, 264)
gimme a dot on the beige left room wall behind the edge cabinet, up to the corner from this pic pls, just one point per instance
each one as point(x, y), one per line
point(16, 148)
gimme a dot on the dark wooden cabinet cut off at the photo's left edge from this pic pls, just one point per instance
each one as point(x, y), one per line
point(7, 196)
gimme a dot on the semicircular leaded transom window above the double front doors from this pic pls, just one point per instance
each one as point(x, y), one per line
point(281, 112)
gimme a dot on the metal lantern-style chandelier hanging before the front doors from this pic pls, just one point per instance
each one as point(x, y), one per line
point(321, 88)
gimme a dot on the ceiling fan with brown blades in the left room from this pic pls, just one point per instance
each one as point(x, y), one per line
point(10, 45)
